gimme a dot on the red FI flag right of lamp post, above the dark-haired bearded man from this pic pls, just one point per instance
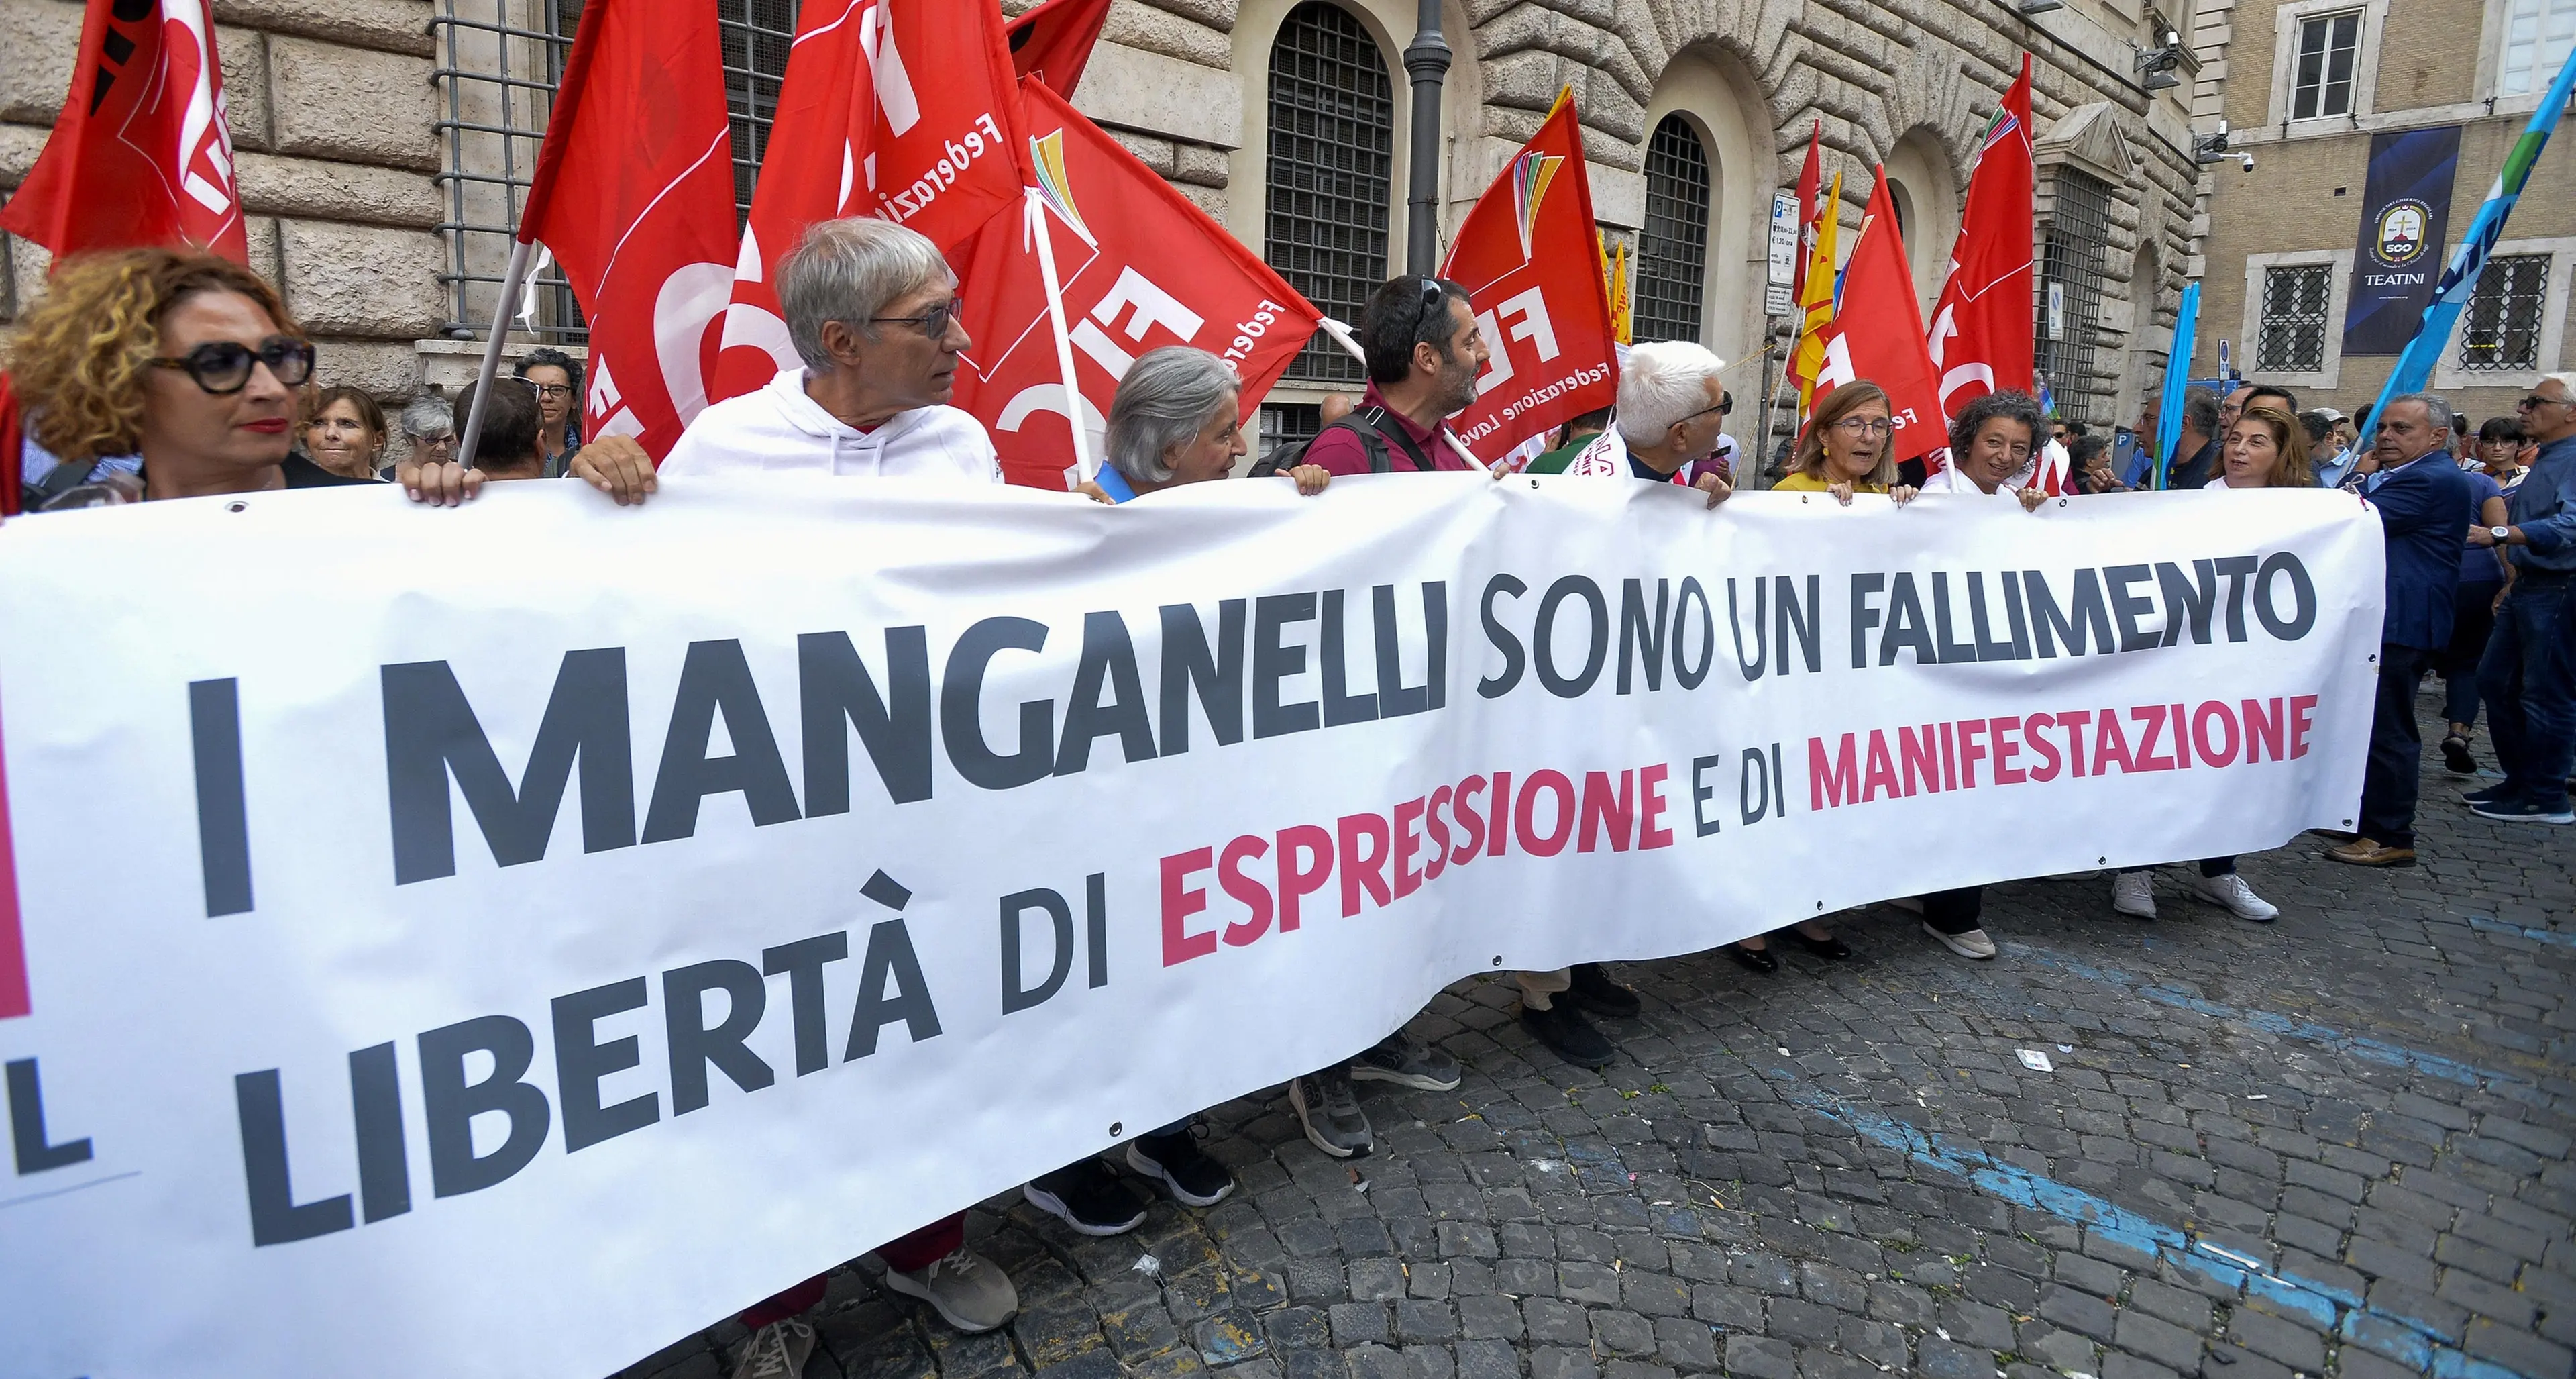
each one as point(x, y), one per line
point(1529, 262)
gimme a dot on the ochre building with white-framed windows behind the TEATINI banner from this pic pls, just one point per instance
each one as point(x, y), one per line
point(2312, 86)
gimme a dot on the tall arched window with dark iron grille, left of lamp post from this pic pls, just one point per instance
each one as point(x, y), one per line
point(1331, 177)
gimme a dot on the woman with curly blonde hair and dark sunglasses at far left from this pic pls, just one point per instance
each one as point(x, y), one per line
point(182, 360)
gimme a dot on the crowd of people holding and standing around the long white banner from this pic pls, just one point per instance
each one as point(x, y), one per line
point(161, 375)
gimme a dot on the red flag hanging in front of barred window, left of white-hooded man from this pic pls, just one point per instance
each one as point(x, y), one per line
point(635, 195)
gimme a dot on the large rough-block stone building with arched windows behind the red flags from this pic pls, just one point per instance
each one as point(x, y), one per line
point(385, 140)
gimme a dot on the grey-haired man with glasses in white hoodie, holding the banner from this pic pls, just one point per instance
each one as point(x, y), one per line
point(872, 311)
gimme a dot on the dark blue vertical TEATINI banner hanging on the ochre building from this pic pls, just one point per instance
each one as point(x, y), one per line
point(2400, 256)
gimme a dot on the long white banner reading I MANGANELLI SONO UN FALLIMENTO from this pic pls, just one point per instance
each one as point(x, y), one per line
point(506, 940)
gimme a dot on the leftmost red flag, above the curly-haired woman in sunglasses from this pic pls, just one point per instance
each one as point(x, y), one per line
point(140, 153)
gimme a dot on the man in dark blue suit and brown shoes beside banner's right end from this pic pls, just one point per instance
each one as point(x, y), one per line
point(2425, 506)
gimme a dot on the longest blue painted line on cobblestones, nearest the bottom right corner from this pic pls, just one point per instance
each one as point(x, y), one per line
point(2410, 1342)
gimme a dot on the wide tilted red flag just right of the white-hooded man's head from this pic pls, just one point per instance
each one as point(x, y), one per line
point(1140, 267)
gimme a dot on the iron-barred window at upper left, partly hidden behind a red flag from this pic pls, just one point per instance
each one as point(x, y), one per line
point(498, 63)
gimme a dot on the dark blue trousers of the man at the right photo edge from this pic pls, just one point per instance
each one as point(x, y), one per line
point(2531, 687)
